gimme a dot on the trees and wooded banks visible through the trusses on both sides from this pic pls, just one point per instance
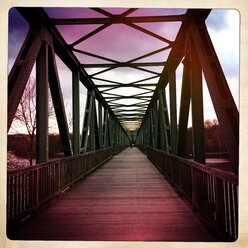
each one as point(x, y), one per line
point(24, 145)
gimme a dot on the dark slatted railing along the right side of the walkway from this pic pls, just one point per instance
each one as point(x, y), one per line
point(212, 192)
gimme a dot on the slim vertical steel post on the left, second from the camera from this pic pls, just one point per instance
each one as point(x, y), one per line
point(76, 112)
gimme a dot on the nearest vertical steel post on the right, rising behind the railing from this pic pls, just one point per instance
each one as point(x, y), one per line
point(197, 108)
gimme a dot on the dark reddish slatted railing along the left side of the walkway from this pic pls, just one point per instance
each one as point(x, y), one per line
point(30, 188)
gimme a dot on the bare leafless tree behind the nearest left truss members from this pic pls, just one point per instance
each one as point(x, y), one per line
point(25, 116)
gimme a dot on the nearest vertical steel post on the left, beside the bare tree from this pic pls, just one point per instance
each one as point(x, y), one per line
point(42, 104)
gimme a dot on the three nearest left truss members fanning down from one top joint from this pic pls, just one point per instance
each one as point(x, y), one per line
point(38, 47)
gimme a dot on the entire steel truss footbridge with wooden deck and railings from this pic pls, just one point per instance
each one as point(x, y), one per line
point(103, 189)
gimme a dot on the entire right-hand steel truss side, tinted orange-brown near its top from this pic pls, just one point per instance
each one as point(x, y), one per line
point(194, 45)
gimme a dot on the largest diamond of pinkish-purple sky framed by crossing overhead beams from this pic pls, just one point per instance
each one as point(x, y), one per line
point(120, 42)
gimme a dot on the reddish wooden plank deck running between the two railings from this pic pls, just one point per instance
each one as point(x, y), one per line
point(127, 199)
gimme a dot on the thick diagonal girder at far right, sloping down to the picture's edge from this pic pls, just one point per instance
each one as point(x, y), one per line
point(221, 96)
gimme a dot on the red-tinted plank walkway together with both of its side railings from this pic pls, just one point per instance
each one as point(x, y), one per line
point(126, 199)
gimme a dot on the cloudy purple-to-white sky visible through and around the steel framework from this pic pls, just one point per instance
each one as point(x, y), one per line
point(223, 27)
